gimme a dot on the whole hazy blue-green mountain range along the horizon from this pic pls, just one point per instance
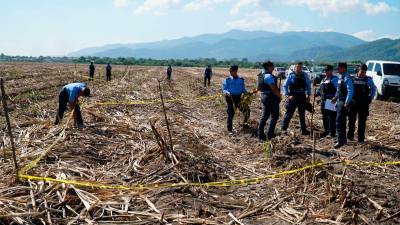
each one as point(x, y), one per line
point(255, 46)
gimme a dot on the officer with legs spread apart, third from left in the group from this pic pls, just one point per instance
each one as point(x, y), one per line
point(296, 86)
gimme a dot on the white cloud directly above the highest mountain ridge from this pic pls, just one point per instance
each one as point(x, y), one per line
point(260, 20)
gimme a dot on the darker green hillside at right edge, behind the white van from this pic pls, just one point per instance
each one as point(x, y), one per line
point(382, 49)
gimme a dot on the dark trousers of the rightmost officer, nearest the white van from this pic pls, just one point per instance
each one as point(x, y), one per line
point(362, 111)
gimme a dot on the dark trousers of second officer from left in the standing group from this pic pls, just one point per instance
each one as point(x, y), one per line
point(270, 105)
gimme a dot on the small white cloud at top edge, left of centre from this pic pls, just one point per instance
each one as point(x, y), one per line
point(156, 7)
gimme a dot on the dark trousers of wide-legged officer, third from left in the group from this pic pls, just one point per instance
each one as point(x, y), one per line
point(299, 101)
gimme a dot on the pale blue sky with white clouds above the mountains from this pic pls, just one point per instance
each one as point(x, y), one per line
point(58, 27)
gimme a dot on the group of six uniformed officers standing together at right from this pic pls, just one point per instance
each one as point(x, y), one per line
point(350, 96)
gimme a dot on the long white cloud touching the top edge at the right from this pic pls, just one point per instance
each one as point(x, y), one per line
point(327, 7)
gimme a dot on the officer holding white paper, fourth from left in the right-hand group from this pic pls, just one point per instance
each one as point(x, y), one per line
point(327, 90)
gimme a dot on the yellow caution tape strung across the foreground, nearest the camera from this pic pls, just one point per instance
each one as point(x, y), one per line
point(228, 183)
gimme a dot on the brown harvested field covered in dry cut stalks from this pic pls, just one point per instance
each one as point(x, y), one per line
point(120, 146)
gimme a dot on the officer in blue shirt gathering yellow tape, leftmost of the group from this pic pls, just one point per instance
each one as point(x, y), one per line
point(233, 88)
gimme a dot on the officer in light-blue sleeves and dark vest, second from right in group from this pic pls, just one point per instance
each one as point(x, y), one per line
point(344, 94)
